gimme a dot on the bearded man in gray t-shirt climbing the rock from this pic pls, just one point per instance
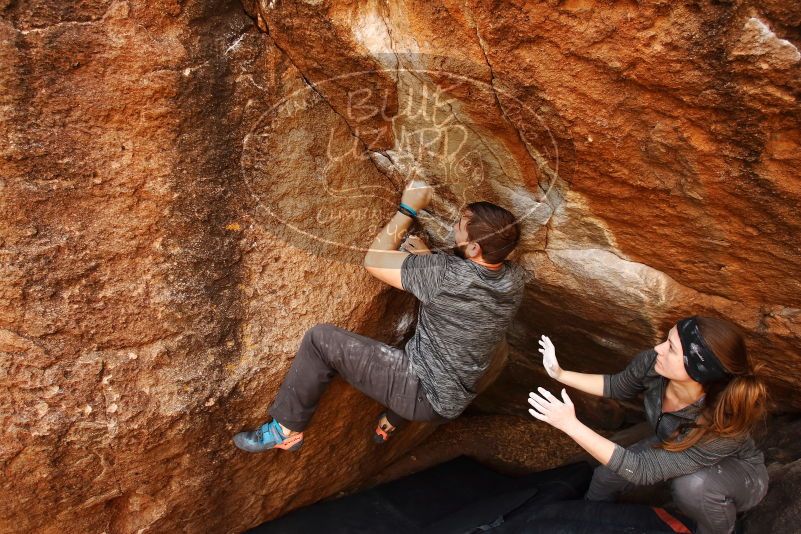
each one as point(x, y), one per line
point(467, 301)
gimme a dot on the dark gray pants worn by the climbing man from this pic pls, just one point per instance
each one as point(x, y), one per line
point(378, 370)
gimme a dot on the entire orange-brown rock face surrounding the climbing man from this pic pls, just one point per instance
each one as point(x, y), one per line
point(178, 205)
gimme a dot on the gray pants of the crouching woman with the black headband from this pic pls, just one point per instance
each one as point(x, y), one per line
point(712, 497)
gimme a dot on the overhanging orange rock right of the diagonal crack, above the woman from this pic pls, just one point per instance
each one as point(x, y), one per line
point(665, 136)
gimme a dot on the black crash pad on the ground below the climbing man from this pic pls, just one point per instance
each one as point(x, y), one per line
point(464, 496)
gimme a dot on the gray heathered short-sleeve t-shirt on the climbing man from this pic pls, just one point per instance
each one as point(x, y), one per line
point(464, 312)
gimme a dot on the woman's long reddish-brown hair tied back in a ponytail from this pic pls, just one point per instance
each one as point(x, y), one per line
point(734, 407)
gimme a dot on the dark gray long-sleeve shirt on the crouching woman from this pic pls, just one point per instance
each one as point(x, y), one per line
point(655, 464)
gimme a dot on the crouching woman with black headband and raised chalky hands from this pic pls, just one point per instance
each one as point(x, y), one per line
point(702, 398)
